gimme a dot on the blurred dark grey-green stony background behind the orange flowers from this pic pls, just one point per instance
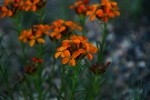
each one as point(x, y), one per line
point(128, 46)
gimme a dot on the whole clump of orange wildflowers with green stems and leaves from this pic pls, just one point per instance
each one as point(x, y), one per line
point(78, 56)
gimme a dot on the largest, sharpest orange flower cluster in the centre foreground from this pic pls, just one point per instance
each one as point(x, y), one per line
point(77, 47)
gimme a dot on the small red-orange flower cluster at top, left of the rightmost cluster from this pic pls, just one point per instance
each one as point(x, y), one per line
point(80, 6)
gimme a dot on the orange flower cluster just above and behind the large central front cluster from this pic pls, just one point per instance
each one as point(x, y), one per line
point(61, 28)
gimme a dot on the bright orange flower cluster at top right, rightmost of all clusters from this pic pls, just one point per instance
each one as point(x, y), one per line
point(103, 11)
